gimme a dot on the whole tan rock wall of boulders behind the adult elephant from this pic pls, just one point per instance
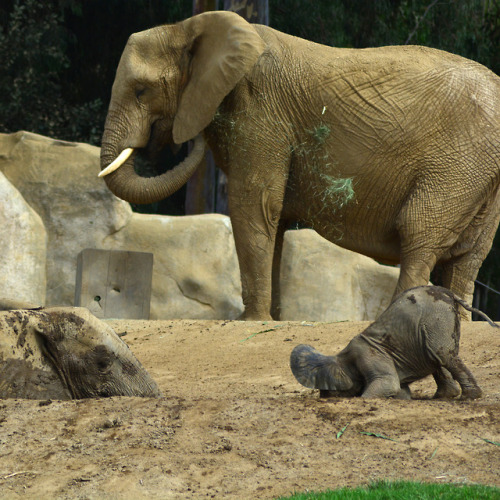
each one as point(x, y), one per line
point(195, 271)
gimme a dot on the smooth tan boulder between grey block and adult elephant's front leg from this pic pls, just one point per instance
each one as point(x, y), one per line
point(195, 270)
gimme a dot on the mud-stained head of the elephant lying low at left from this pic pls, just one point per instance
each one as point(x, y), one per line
point(90, 359)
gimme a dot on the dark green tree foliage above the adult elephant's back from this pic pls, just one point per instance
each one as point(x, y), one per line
point(470, 28)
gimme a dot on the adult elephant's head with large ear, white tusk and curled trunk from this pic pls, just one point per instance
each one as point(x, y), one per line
point(168, 86)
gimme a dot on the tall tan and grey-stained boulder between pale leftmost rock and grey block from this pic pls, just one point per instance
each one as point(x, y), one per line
point(59, 181)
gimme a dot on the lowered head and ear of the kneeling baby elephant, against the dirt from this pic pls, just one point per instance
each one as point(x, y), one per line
point(316, 371)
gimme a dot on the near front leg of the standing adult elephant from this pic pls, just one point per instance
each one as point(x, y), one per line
point(255, 218)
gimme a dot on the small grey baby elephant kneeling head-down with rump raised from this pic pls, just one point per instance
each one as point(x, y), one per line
point(416, 336)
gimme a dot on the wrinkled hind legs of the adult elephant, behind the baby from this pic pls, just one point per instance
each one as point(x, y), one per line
point(430, 233)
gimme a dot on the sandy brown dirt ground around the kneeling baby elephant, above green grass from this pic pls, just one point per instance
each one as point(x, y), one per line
point(234, 423)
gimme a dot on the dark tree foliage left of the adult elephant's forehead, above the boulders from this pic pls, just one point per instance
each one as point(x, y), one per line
point(59, 59)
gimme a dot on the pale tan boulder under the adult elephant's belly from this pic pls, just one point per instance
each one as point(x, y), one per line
point(323, 282)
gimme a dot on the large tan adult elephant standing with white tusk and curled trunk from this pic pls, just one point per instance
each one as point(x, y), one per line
point(392, 152)
